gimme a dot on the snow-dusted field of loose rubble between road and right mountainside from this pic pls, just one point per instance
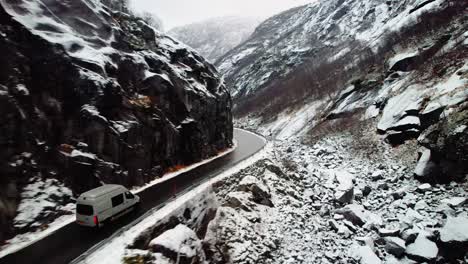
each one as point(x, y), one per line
point(307, 225)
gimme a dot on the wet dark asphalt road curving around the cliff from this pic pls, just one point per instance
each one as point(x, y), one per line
point(71, 241)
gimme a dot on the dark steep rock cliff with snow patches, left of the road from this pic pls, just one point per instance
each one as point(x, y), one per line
point(89, 95)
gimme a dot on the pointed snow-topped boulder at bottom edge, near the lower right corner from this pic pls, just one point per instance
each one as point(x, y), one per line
point(422, 249)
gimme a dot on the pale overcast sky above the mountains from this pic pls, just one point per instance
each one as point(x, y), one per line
point(181, 12)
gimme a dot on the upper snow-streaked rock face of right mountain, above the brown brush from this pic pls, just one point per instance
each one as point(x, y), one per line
point(320, 32)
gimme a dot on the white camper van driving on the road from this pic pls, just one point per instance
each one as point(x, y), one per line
point(104, 204)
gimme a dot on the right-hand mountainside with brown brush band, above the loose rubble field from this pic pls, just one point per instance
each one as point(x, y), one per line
point(400, 66)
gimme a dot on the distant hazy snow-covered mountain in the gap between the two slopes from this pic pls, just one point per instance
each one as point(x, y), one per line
point(215, 37)
